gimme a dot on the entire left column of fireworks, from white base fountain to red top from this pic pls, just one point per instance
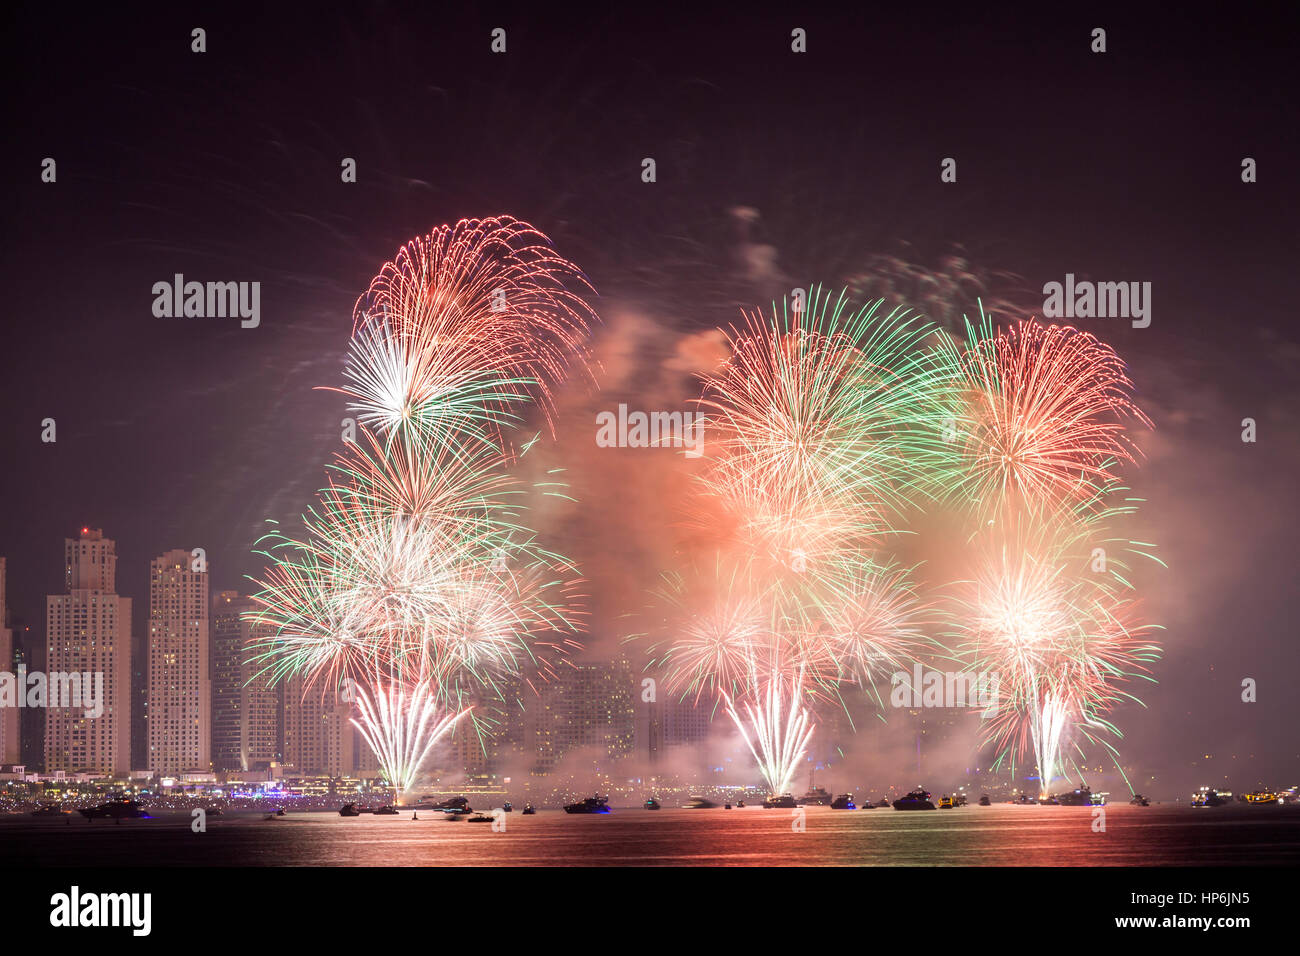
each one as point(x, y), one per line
point(417, 577)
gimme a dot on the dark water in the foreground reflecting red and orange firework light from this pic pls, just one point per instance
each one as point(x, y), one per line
point(1000, 836)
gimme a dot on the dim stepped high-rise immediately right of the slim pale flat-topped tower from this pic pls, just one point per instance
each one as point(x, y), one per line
point(245, 702)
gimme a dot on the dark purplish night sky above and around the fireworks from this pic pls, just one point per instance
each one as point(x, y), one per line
point(226, 166)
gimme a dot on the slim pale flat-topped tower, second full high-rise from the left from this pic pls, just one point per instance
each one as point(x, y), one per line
point(180, 690)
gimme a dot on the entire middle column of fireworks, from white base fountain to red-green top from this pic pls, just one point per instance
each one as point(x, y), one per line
point(822, 427)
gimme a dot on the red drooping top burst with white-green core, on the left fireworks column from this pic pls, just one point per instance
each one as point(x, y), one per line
point(463, 326)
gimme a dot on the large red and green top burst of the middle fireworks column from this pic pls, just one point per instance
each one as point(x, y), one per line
point(821, 423)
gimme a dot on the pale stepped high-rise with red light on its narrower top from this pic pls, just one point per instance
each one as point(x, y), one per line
point(89, 633)
